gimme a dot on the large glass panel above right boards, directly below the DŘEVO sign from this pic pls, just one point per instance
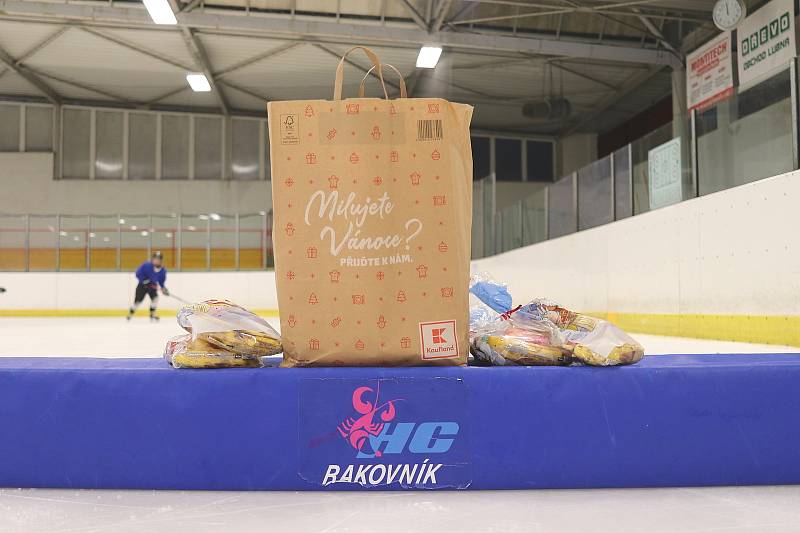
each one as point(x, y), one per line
point(753, 129)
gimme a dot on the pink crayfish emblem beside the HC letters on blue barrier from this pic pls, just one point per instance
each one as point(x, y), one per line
point(373, 416)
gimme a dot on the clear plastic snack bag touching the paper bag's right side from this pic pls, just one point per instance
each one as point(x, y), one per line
point(508, 341)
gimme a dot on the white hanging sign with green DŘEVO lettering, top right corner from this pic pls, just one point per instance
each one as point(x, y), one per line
point(766, 40)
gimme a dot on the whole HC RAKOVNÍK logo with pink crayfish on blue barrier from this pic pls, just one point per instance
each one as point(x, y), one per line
point(375, 437)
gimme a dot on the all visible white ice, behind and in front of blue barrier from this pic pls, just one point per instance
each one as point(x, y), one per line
point(740, 509)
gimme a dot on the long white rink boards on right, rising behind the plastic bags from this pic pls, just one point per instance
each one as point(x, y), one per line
point(732, 252)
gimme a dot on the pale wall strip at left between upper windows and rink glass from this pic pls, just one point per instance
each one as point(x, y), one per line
point(28, 187)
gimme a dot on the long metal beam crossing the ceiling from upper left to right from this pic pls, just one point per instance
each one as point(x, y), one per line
point(373, 33)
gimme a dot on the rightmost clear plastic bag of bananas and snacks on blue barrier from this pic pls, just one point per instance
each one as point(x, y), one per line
point(591, 340)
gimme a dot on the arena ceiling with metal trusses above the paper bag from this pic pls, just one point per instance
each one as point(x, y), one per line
point(610, 59)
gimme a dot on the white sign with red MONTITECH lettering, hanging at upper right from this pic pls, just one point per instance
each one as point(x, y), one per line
point(709, 72)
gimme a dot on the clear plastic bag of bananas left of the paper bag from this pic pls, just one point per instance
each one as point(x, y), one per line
point(221, 334)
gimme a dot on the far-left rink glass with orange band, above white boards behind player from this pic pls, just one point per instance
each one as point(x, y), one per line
point(121, 242)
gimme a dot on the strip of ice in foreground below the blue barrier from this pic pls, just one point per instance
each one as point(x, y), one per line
point(739, 509)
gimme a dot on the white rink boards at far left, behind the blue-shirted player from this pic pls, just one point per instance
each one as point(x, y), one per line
point(114, 290)
